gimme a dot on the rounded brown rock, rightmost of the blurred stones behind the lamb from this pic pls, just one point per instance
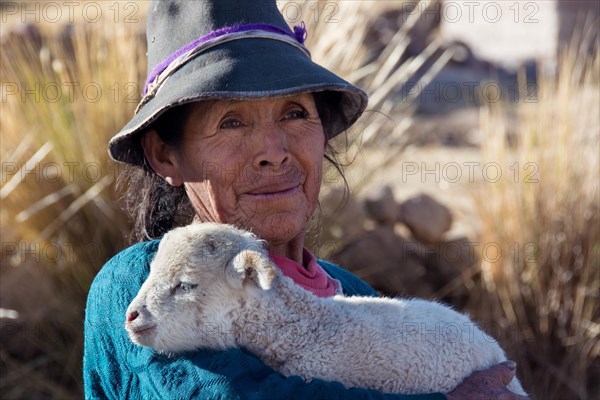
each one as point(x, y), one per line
point(427, 219)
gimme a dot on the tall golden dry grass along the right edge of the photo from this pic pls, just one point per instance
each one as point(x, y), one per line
point(539, 293)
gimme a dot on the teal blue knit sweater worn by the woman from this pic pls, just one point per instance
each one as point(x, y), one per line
point(115, 368)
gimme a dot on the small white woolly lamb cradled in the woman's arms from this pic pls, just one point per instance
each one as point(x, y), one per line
point(212, 286)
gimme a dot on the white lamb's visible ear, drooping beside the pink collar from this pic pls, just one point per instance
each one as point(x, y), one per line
point(250, 266)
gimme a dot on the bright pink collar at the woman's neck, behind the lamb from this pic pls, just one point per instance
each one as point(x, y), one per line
point(311, 277)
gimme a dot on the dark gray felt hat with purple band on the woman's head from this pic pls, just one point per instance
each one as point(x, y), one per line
point(227, 49)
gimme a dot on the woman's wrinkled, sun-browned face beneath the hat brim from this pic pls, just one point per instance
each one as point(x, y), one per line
point(254, 164)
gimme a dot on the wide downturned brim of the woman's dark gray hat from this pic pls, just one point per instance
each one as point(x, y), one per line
point(243, 69)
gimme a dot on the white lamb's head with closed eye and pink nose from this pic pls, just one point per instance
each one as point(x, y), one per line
point(201, 274)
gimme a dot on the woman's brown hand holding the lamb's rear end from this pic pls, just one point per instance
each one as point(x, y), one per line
point(488, 384)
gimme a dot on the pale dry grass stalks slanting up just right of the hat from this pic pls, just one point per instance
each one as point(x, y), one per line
point(388, 115)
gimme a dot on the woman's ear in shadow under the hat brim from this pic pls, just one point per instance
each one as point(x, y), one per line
point(161, 158)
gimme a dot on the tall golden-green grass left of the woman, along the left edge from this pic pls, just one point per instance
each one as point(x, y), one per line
point(64, 96)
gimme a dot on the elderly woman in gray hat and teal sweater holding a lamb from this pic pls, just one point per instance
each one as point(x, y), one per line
point(233, 128)
